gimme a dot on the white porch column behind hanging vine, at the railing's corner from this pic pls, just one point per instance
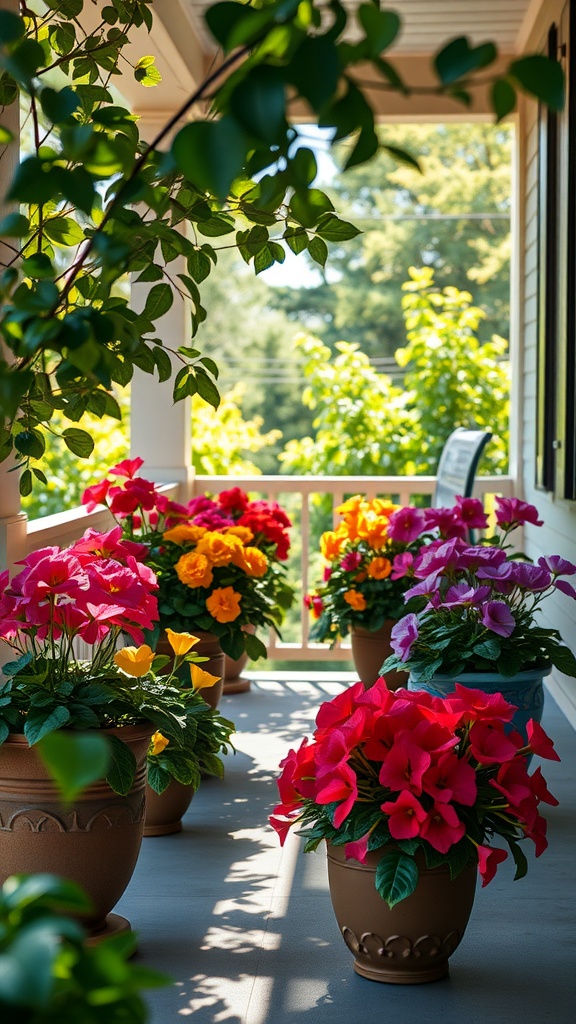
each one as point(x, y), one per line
point(160, 430)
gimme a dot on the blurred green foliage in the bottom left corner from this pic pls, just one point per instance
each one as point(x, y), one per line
point(50, 974)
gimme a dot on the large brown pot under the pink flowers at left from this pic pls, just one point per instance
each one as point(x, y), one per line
point(96, 842)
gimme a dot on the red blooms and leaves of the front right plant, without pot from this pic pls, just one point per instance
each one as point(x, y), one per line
point(430, 777)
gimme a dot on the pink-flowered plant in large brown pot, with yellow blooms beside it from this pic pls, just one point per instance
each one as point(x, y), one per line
point(90, 595)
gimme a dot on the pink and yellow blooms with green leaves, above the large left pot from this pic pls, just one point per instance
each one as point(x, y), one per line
point(95, 593)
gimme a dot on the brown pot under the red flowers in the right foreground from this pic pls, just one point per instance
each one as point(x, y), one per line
point(412, 944)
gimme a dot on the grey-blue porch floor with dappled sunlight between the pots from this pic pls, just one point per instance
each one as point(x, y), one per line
point(246, 930)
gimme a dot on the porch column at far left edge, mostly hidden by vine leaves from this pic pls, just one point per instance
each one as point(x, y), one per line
point(13, 520)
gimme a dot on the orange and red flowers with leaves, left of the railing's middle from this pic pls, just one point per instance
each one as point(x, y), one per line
point(219, 561)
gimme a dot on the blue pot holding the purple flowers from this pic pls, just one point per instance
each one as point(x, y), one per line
point(525, 691)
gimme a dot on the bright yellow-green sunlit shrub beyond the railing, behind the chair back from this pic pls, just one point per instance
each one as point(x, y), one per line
point(366, 426)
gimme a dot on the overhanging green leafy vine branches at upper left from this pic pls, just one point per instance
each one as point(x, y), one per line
point(70, 336)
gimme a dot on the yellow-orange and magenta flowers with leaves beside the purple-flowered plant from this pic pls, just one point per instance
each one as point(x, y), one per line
point(369, 560)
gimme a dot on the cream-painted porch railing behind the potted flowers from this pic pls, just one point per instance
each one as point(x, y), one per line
point(311, 502)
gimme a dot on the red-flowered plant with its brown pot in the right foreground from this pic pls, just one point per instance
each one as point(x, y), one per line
point(412, 791)
